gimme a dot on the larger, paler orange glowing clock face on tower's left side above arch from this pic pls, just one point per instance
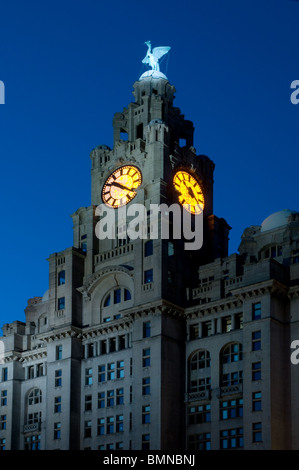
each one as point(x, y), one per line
point(120, 187)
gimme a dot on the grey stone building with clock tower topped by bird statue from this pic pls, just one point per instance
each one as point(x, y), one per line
point(140, 343)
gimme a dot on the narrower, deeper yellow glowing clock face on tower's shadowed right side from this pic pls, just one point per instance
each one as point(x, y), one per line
point(189, 192)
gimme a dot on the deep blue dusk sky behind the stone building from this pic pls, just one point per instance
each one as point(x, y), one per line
point(68, 66)
